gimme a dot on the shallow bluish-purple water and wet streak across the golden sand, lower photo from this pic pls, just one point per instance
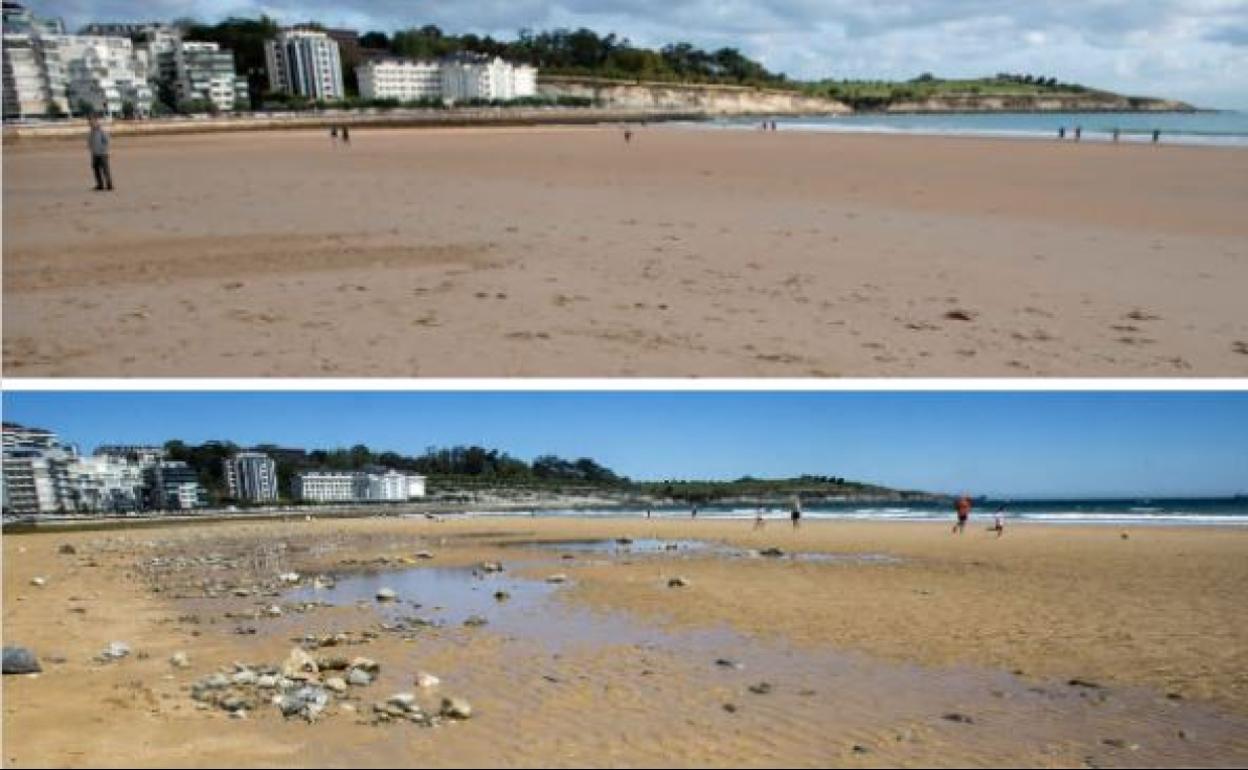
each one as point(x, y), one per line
point(808, 688)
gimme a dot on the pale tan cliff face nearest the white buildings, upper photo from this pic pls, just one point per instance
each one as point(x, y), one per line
point(707, 99)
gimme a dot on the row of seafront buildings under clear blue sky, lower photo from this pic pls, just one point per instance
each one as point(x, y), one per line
point(44, 475)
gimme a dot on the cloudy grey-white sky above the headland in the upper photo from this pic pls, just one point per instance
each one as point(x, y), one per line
point(1195, 51)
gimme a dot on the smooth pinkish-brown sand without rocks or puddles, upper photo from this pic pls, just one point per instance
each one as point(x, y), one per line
point(565, 253)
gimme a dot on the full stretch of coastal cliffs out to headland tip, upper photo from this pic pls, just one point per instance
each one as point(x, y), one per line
point(708, 99)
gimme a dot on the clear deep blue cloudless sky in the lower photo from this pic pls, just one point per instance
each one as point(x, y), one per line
point(1016, 445)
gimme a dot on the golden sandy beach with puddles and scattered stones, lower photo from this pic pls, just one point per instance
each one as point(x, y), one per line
point(864, 645)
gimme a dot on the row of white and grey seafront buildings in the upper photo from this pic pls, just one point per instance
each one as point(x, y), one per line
point(123, 69)
